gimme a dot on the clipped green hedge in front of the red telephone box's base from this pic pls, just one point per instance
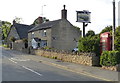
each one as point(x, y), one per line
point(110, 58)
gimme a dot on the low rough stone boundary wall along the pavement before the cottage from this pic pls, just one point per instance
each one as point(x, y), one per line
point(89, 59)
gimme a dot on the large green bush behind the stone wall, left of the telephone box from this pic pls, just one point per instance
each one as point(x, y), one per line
point(89, 44)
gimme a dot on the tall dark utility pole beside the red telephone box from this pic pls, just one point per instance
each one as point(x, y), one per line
point(113, 28)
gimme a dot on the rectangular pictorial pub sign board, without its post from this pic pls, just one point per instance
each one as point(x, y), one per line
point(83, 16)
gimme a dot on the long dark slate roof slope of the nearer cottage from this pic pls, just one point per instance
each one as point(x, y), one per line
point(46, 25)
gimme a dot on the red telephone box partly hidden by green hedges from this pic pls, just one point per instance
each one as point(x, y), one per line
point(105, 42)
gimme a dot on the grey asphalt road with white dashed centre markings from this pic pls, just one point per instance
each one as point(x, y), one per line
point(17, 68)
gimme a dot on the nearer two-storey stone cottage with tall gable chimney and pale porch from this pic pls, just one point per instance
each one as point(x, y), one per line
point(59, 34)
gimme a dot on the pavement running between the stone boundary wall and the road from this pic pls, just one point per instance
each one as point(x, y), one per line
point(96, 72)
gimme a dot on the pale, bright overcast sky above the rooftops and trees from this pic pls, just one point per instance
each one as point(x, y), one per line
point(29, 10)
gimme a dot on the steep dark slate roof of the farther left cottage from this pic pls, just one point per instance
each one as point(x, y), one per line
point(22, 29)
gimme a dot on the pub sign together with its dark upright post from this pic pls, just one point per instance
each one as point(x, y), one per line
point(84, 17)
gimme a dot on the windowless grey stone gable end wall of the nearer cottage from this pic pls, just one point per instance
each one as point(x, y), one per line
point(65, 36)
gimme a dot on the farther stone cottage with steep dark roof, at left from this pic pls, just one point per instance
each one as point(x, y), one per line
point(20, 33)
